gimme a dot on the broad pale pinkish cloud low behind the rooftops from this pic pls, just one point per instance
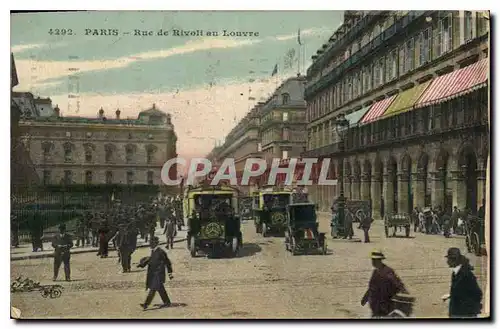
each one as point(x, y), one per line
point(200, 116)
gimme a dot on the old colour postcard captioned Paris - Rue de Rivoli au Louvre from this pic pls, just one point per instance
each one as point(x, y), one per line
point(250, 164)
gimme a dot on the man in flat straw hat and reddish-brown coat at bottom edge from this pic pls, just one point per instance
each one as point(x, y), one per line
point(383, 286)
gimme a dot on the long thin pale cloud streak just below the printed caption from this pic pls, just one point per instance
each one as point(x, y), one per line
point(33, 72)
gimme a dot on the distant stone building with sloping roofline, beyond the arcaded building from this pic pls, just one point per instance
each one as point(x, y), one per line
point(272, 129)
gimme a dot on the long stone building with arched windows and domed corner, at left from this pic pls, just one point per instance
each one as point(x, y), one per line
point(100, 150)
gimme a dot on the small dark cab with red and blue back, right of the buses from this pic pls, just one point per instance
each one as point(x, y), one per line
point(302, 233)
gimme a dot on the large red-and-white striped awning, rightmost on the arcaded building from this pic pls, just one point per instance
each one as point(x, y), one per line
point(456, 83)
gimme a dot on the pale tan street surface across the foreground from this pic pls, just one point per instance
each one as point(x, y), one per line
point(266, 281)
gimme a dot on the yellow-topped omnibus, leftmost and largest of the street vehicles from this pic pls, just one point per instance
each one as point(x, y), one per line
point(213, 220)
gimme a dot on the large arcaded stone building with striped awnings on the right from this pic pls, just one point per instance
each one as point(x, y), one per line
point(414, 87)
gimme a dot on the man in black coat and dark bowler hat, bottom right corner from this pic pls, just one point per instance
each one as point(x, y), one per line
point(465, 294)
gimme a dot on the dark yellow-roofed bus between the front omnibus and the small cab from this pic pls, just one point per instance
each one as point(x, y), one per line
point(270, 212)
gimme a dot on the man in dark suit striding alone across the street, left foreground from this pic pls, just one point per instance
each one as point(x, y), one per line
point(155, 279)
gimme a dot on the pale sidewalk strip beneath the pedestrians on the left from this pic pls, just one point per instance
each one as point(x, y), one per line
point(25, 251)
